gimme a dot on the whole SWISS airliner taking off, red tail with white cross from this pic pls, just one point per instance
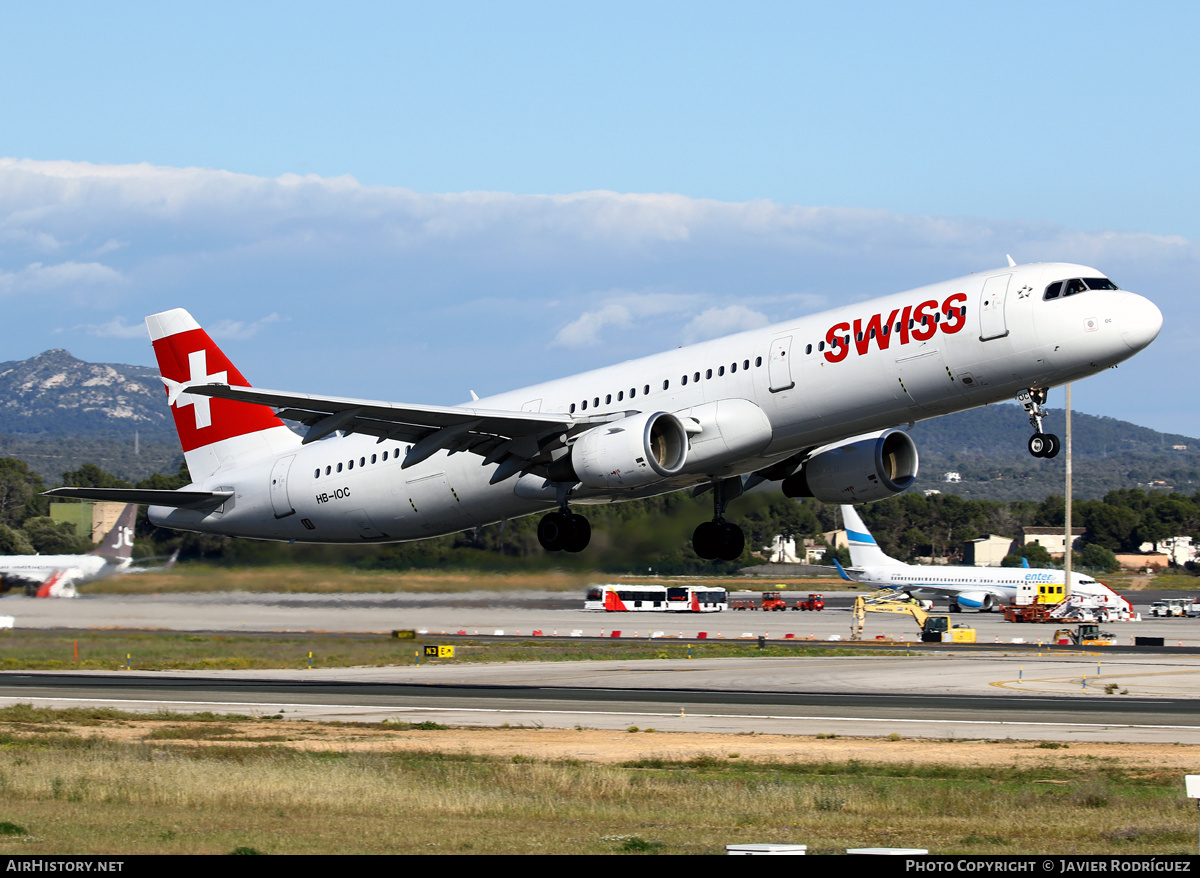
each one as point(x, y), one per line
point(812, 404)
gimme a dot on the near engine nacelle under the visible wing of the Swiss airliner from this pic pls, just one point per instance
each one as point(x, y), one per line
point(631, 453)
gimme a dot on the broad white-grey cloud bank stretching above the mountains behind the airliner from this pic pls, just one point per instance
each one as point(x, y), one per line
point(484, 282)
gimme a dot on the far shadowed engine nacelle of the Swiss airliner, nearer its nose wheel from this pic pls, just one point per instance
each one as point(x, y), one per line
point(862, 470)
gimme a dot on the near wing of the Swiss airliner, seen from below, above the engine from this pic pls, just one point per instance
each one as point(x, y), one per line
point(519, 441)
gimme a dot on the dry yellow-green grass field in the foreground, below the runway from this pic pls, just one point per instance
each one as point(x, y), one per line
point(104, 783)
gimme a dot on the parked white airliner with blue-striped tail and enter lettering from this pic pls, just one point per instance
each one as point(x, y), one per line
point(975, 588)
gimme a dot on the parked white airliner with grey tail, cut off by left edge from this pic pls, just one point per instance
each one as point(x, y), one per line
point(57, 576)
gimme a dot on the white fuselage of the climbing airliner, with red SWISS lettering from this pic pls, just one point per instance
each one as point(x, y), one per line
point(784, 381)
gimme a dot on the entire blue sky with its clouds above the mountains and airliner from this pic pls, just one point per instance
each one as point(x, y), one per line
point(413, 201)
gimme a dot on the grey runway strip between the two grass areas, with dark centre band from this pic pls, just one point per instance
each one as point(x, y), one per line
point(988, 697)
